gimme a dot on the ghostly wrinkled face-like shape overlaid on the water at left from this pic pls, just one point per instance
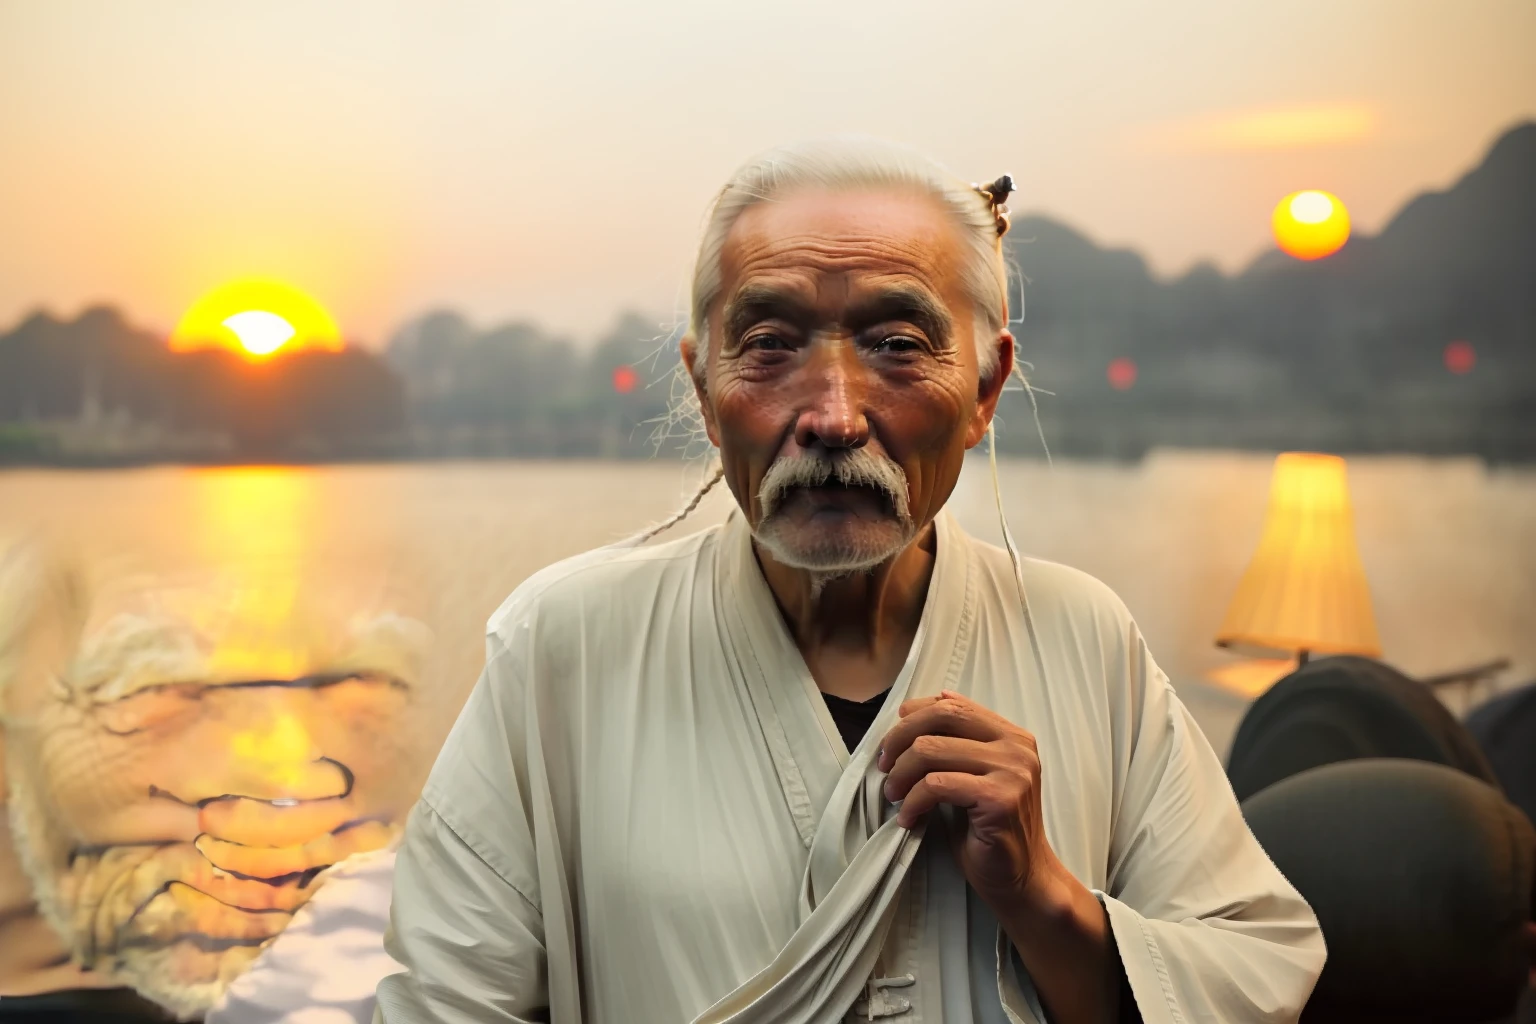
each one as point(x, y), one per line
point(176, 793)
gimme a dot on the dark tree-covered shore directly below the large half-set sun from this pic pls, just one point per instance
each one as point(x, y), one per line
point(98, 391)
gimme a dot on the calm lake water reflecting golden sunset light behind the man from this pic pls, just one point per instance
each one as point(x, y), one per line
point(1449, 546)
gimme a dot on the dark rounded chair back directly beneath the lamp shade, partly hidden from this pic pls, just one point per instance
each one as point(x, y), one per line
point(1343, 709)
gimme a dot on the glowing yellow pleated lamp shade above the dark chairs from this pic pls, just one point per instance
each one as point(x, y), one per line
point(1305, 589)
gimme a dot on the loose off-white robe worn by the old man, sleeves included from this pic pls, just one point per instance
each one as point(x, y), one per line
point(647, 814)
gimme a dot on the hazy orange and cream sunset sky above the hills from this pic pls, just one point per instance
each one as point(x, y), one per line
point(554, 160)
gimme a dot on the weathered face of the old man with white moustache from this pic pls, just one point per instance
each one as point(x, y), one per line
point(844, 389)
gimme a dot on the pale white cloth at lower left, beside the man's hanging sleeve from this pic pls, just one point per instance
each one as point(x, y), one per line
point(325, 966)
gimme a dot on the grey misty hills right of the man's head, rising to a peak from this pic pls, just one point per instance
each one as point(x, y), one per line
point(1342, 354)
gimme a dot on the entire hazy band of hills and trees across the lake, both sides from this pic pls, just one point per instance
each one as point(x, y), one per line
point(1345, 354)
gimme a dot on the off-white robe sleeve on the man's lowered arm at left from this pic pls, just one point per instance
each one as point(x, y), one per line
point(466, 922)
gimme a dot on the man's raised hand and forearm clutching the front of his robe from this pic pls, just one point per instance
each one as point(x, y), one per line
point(952, 750)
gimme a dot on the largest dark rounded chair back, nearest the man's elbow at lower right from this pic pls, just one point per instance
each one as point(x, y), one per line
point(1422, 879)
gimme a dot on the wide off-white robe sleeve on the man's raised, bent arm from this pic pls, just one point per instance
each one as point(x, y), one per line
point(1207, 927)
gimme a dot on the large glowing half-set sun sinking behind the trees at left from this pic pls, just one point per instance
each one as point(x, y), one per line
point(259, 319)
